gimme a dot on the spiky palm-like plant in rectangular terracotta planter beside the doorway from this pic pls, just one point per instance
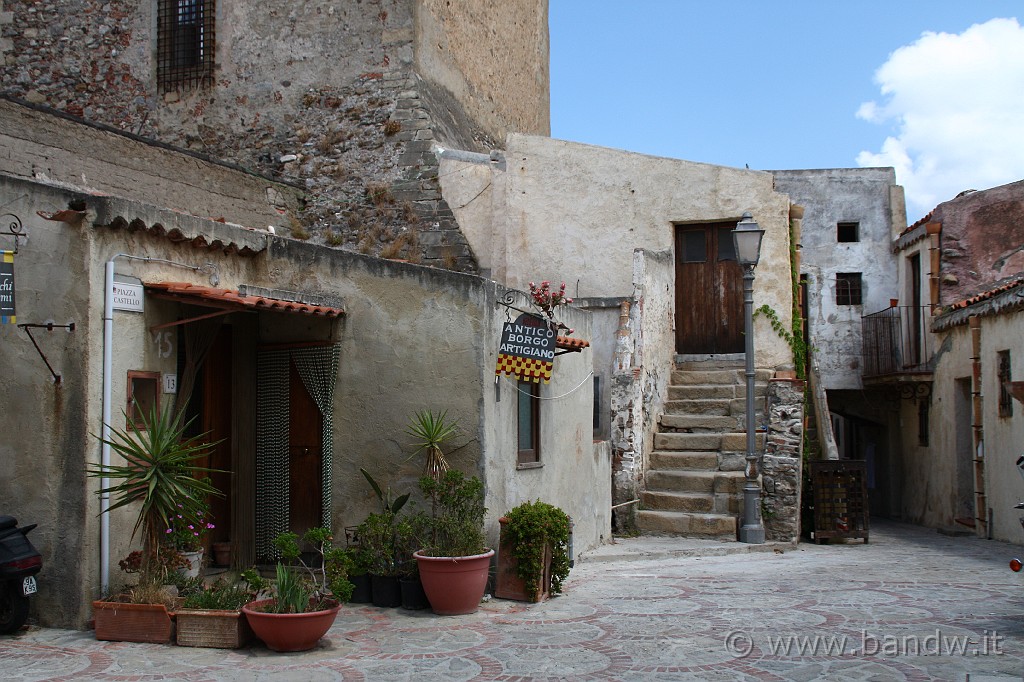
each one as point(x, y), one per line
point(160, 476)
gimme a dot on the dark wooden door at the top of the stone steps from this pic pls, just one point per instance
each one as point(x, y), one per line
point(709, 290)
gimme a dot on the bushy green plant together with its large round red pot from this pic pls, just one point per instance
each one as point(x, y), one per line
point(454, 563)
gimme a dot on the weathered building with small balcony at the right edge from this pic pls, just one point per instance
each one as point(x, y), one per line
point(952, 356)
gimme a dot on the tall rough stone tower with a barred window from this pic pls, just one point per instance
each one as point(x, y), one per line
point(345, 98)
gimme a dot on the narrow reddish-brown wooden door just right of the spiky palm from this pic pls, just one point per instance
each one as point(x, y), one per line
point(217, 393)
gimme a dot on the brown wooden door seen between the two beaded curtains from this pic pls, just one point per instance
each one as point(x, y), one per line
point(306, 457)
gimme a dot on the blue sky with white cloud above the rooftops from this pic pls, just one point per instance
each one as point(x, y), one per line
point(780, 86)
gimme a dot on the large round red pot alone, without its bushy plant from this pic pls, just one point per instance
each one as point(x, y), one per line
point(454, 585)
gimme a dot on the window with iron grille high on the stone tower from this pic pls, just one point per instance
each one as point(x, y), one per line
point(185, 45)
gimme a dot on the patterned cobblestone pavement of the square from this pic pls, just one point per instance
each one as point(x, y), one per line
point(911, 606)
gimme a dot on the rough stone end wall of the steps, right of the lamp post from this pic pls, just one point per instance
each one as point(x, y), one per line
point(782, 467)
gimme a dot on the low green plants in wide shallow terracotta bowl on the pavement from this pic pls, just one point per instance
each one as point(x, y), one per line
point(305, 599)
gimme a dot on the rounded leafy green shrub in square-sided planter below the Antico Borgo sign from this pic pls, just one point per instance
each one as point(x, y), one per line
point(534, 558)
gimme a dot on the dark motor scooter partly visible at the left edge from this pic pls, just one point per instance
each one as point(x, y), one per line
point(20, 563)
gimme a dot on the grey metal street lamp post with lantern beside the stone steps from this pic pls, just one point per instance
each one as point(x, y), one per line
point(747, 240)
